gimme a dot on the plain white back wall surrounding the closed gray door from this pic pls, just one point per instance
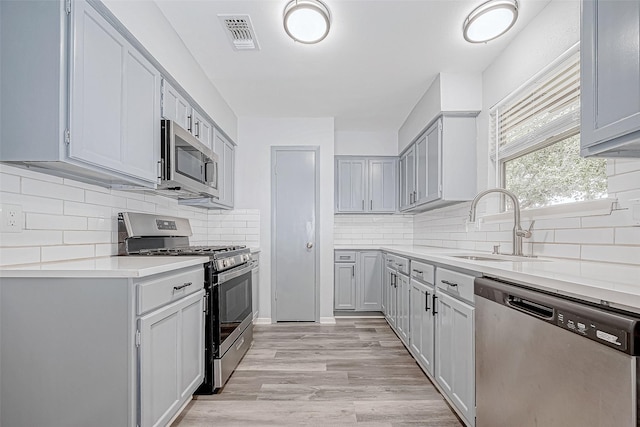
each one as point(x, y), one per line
point(253, 190)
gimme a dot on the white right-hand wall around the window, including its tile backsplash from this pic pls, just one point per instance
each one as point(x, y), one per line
point(604, 237)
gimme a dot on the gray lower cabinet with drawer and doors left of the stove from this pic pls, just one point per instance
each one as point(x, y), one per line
point(100, 351)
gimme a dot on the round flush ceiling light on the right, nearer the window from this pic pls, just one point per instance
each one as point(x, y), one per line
point(490, 20)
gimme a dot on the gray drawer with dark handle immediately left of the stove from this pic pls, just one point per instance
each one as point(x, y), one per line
point(166, 288)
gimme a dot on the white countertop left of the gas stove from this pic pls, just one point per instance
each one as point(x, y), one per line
point(104, 267)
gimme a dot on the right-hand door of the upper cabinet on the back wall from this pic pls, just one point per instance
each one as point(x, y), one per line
point(382, 185)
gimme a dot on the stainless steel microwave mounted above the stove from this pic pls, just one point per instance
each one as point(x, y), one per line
point(188, 168)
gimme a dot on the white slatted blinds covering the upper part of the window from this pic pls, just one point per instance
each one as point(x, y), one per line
point(541, 113)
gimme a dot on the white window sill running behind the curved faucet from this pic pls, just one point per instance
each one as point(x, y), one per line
point(568, 210)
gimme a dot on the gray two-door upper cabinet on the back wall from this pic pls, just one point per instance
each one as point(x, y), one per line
point(366, 184)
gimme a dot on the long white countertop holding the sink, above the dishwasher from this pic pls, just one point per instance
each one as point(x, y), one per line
point(617, 285)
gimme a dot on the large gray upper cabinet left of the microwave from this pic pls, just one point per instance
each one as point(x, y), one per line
point(97, 107)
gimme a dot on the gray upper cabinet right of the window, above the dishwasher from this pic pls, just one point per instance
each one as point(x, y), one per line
point(610, 82)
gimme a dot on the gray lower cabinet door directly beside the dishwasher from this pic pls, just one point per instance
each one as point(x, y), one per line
point(455, 370)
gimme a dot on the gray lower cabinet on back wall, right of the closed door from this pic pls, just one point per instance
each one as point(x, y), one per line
point(358, 279)
